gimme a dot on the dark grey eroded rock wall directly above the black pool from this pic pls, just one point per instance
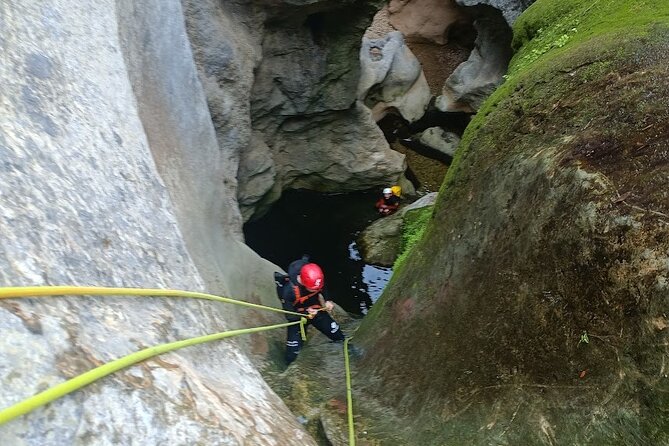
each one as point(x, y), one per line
point(291, 69)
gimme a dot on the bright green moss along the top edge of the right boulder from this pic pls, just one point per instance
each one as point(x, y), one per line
point(545, 31)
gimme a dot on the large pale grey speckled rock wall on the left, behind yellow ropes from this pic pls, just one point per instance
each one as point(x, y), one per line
point(83, 203)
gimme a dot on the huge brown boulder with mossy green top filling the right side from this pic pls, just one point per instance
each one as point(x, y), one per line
point(534, 309)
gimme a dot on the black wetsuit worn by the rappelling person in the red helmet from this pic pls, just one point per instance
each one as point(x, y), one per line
point(298, 298)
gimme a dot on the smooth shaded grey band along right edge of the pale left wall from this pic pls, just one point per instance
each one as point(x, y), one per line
point(198, 171)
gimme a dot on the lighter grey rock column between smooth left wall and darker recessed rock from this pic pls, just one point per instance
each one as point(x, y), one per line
point(225, 37)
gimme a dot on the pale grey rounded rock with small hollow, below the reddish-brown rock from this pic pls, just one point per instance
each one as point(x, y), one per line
point(392, 78)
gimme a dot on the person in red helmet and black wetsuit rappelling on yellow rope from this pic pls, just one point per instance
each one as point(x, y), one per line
point(304, 292)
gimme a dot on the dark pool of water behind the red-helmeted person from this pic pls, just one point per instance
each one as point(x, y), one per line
point(325, 227)
